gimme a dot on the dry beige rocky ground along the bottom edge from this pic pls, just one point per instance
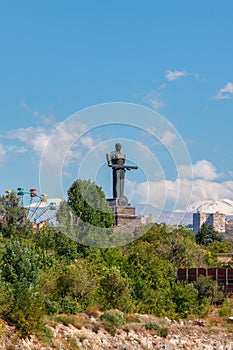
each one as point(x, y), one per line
point(89, 332)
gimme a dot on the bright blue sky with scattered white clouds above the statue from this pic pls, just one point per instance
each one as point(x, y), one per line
point(175, 57)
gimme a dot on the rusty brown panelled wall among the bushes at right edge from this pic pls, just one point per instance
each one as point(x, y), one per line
point(223, 276)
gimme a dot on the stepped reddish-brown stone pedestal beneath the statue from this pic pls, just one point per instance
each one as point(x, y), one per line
point(124, 215)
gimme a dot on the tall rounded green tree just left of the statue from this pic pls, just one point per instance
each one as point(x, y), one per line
point(86, 216)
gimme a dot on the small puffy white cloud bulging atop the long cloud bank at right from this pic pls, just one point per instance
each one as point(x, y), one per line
point(203, 169)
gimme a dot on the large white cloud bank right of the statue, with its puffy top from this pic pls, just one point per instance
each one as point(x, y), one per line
point(195, 183)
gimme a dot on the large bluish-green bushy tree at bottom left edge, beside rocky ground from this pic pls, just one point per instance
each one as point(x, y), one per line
point(20, 271)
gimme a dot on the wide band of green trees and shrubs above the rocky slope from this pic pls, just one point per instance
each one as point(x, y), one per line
point(47, 272)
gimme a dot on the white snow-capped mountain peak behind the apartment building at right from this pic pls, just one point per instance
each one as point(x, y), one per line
point(224, 206)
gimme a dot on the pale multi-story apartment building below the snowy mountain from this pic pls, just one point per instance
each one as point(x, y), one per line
point(216, 220)
